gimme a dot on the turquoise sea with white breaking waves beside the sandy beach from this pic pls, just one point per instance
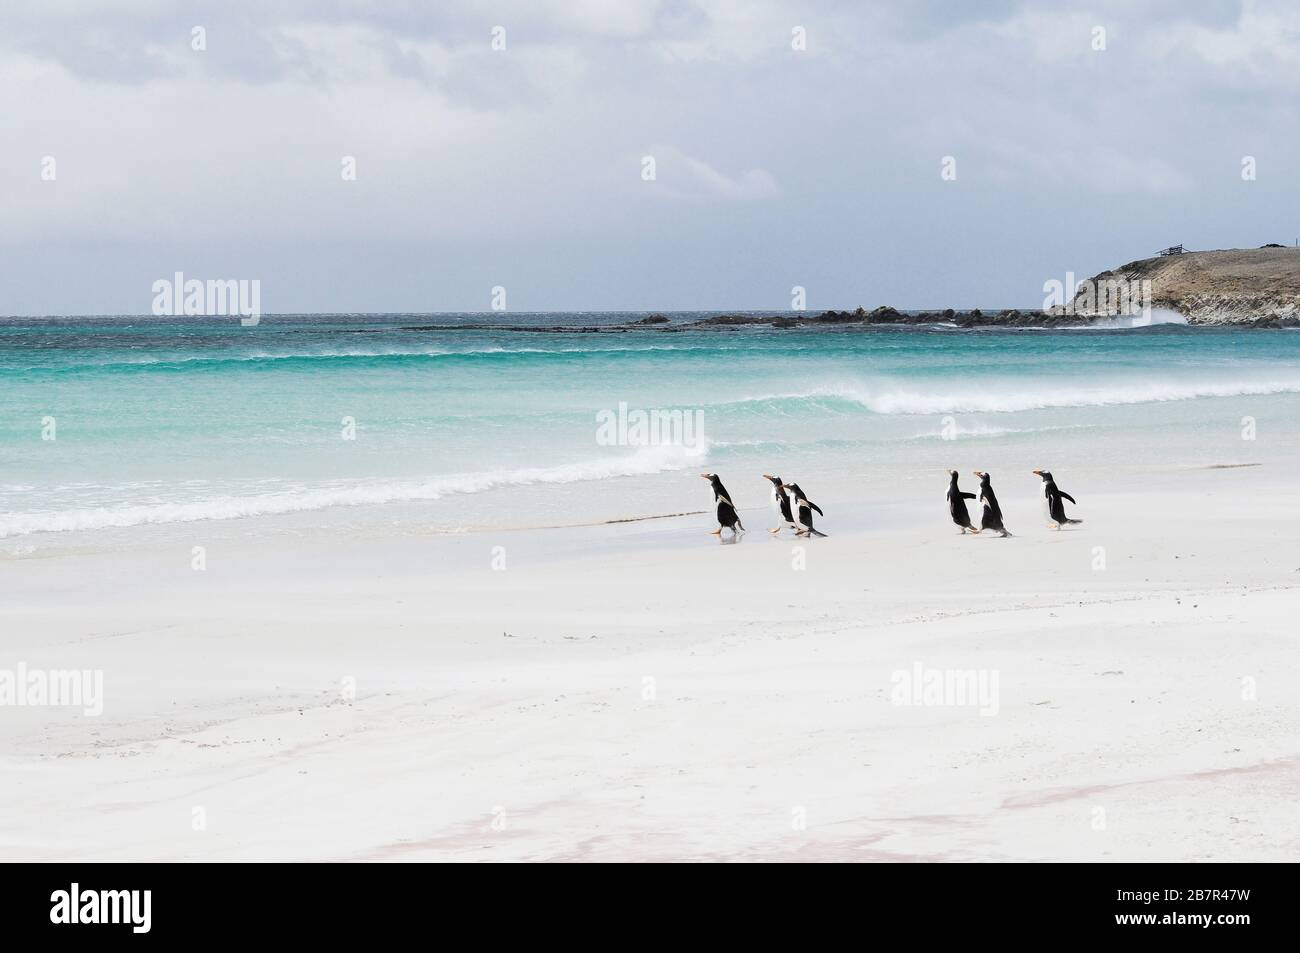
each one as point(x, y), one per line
point(188, 426)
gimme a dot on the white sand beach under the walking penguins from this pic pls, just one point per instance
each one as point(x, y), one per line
point(639, 692)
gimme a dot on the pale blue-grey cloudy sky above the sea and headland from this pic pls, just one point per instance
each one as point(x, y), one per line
point(523, 167)
